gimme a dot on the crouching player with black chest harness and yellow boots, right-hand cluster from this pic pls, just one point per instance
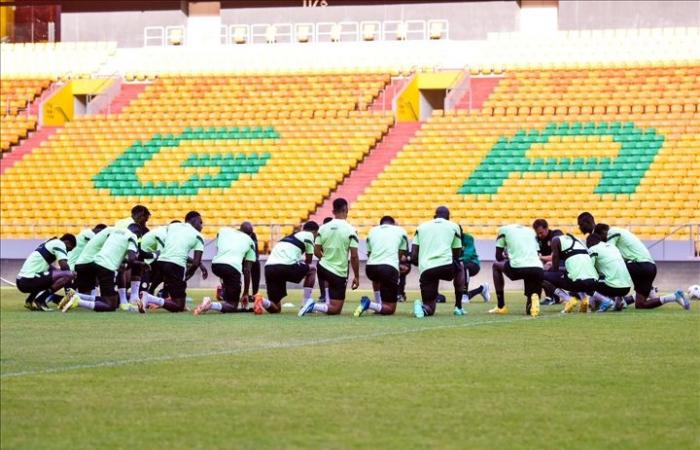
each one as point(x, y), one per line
point(579, 274)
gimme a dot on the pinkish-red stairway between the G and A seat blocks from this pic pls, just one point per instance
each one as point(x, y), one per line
point(370, 167)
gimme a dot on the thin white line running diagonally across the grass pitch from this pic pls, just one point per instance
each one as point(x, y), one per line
point(264, 347)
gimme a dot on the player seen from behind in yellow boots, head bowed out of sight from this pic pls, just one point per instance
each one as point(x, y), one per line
point(523, 263)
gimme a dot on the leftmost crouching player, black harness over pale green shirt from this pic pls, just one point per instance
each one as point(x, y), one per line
point(38, 277)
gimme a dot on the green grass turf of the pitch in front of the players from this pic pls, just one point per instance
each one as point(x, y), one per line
point(120, 380)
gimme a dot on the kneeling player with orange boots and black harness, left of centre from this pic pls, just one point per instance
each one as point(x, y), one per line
point(289, 261)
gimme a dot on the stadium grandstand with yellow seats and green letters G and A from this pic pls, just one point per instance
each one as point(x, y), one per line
point(214, 104)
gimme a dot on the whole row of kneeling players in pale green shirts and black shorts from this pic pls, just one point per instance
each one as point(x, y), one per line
point(595, 275)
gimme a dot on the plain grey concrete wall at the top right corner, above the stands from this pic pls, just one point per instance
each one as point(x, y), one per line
point(593, 14)
